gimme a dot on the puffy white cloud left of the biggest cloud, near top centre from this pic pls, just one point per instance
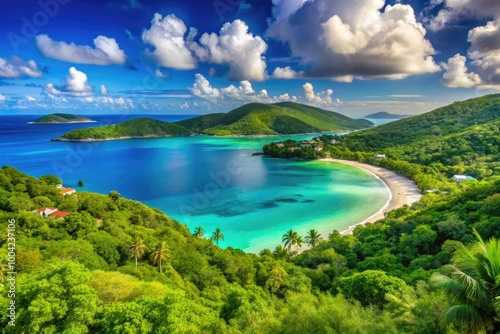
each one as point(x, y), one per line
point(235, 47)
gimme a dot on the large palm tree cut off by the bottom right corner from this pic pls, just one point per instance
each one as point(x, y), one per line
point(474, 286)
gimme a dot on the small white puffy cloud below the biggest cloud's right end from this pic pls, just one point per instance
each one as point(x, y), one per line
point(456, 74)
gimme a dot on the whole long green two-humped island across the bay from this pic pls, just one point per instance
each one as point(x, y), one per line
point(248, 120)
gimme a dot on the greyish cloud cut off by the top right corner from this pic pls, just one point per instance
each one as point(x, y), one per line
point(455, 9)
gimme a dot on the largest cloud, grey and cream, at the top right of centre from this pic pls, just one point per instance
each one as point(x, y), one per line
point(359, 38)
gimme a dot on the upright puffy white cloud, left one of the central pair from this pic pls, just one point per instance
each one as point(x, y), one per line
point(166, 35)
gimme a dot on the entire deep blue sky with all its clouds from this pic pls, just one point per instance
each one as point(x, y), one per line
point(355, 57)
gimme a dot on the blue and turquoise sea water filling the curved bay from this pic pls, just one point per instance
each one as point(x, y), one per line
point(205, 181)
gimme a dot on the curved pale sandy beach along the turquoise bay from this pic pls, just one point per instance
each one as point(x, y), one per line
point(402, 190)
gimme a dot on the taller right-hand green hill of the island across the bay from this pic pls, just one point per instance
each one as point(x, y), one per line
point(272, 119)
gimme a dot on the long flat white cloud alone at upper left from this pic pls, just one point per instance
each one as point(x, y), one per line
point(106, 51)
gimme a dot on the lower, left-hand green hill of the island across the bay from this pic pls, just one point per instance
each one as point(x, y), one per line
point(136, 128)
